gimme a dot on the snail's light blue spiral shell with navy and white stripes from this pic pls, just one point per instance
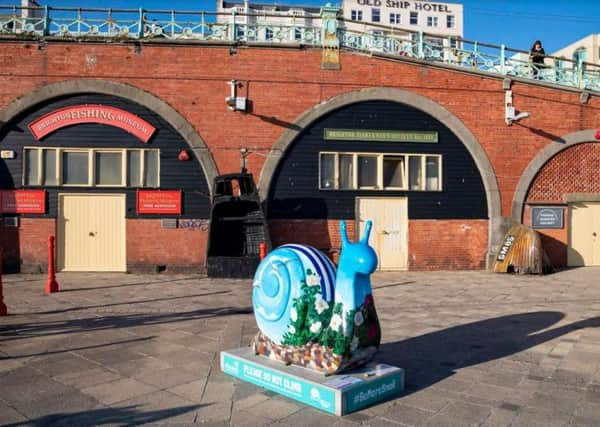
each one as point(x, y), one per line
point(278, 282)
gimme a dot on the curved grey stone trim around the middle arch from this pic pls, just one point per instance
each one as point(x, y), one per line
point(422, 103)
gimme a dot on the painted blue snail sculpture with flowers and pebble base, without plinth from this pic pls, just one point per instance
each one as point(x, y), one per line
point(312, 316)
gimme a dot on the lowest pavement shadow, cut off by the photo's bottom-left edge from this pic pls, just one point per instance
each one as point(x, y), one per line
point(125, 416)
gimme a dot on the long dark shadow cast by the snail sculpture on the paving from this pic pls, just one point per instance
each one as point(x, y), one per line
point(432, 357)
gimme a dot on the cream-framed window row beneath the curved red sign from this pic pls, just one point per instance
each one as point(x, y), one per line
point(91, 167)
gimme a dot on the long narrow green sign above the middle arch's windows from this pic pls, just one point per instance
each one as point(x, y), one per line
point(381, 135)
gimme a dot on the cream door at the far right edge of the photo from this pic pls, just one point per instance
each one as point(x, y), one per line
point(584, 234)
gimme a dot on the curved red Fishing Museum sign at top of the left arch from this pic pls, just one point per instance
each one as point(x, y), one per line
point(91, 113)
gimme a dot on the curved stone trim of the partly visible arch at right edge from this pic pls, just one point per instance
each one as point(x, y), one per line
point(540, 161)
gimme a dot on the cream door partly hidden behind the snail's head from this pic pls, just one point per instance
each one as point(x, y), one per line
point(389, 236)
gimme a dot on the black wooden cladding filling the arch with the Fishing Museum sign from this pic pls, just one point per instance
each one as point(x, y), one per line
point(187, 176)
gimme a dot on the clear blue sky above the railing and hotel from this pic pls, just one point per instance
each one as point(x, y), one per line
point(515, 23)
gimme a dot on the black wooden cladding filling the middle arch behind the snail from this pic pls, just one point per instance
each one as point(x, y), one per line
point(294, 192)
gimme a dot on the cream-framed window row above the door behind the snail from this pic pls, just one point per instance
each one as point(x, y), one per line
point(380, 171)
